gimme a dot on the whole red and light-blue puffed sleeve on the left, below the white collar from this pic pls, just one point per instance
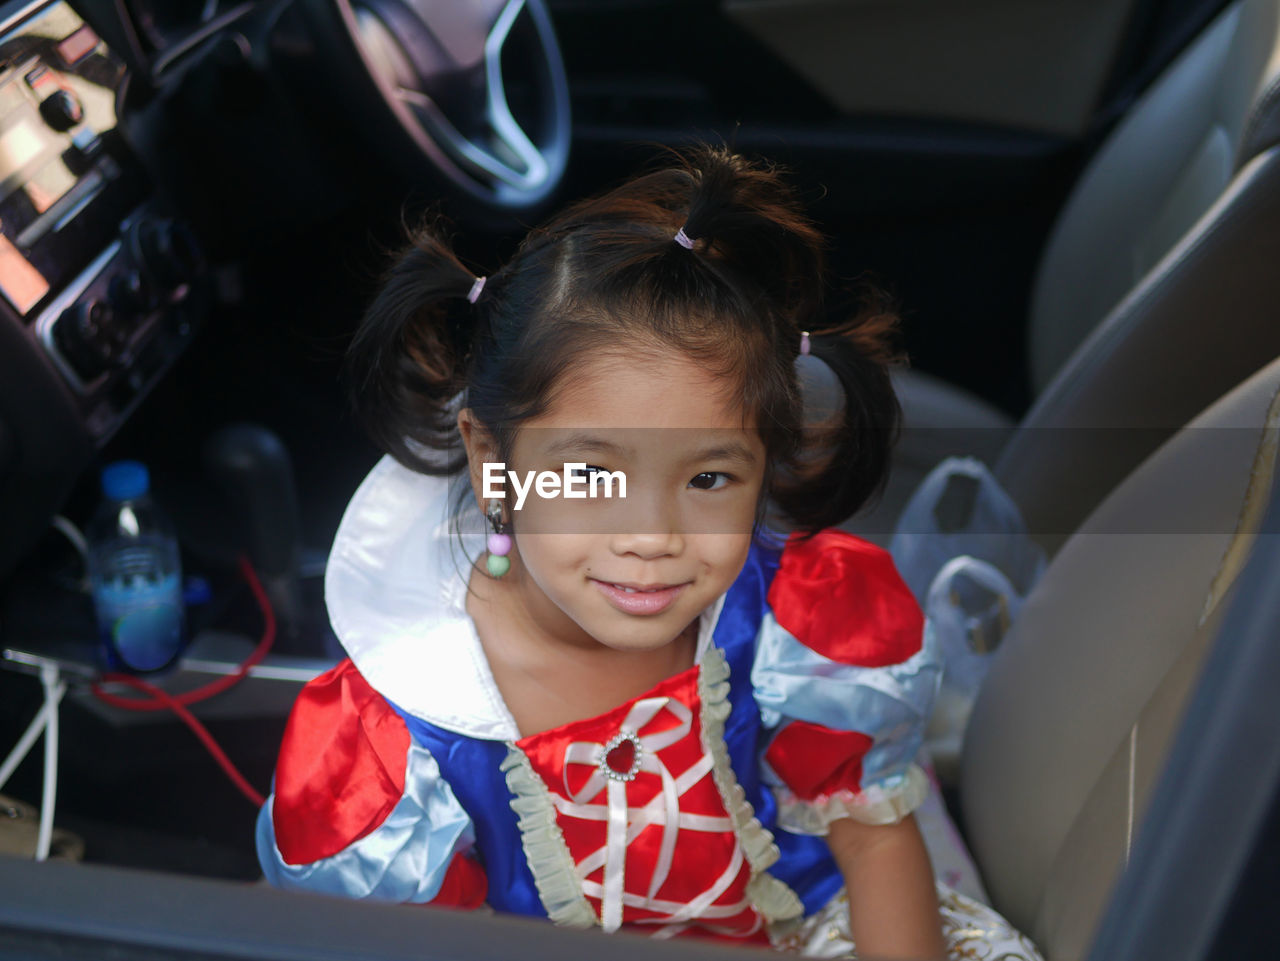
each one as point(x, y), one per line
point(359, 809)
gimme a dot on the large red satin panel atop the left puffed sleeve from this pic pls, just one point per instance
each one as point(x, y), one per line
point(341, 770)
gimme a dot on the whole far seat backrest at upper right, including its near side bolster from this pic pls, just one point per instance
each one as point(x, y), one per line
point(1158, 290)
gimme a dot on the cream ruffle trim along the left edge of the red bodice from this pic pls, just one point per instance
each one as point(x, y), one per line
point(546, 850)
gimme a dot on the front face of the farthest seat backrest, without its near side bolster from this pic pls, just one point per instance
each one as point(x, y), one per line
point(1155, 177)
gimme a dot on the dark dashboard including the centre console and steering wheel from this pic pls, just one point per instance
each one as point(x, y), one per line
point(154, 154)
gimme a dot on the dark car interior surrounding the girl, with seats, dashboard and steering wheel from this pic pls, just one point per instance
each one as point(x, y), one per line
point(1076, 208)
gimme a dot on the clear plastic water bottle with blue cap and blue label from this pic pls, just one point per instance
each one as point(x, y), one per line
point(136, 574)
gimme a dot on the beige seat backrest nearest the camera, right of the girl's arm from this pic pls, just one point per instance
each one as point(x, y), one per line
point(1075, 720)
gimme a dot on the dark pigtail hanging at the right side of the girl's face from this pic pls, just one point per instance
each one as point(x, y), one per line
point(844, 463)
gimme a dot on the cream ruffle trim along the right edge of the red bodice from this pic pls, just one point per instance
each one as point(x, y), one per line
point(776, 903)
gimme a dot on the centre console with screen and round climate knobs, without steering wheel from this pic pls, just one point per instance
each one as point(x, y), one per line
point(102, 286)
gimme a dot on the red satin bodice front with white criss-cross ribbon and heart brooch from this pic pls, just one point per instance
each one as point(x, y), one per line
point(643, 817)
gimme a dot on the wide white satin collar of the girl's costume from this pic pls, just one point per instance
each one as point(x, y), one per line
point(396, 589)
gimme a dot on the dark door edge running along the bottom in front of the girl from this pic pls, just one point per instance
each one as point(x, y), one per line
point(58, 910)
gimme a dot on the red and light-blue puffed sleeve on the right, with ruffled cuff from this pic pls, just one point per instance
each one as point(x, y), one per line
point(845, 674)
